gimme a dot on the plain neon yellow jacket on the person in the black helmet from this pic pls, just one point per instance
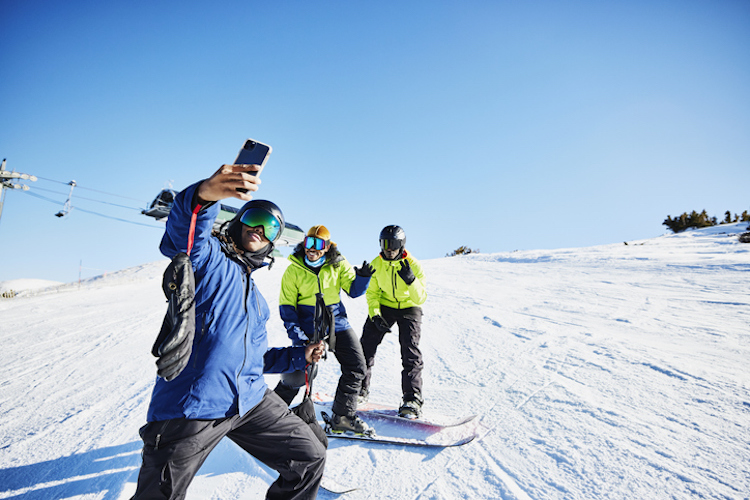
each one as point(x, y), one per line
point(388, 289)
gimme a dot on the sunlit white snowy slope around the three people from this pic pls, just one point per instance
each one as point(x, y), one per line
point(609, 372)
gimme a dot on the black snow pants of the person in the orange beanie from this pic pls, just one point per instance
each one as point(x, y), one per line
point(349, 354)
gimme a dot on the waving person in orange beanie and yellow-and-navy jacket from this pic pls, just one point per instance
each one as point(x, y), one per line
point(317, 266)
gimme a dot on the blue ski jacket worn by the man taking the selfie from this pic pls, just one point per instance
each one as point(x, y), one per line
point(224, 376)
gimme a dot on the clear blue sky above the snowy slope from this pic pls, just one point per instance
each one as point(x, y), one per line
point(499, 125)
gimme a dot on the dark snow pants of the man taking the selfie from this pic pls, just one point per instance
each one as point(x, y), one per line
point(174, 450)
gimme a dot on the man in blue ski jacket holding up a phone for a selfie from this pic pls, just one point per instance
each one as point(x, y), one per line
point(221, 390)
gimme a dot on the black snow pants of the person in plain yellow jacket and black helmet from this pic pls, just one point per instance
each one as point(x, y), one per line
point(409, 331)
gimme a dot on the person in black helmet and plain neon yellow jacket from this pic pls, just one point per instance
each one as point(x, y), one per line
point(394, 296)
